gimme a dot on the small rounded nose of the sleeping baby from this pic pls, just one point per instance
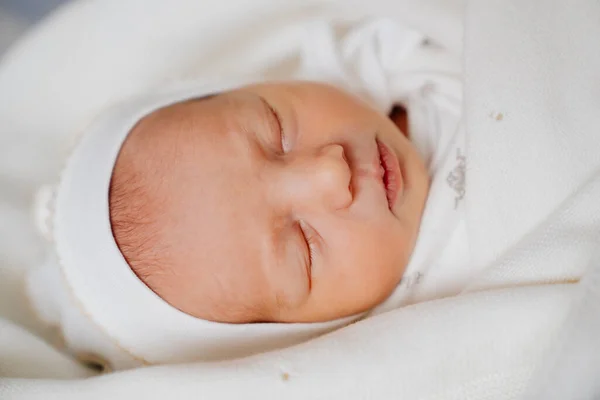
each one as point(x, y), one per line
point(318, 179)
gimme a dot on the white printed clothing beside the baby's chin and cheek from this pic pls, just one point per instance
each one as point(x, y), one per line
point(439, 265)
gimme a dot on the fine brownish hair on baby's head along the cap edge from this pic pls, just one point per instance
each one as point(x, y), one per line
point(134, 201)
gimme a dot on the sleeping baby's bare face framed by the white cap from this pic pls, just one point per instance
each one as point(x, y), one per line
point(289, 202)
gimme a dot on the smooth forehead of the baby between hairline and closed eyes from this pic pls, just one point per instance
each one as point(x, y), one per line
point(213, 215)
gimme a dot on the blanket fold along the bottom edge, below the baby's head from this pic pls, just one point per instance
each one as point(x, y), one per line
point(403, 361)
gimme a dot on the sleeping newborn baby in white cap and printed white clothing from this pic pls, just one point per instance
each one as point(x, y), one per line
point(205, 223)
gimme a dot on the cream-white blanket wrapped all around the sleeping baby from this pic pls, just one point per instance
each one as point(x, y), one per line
point(533, 196)
